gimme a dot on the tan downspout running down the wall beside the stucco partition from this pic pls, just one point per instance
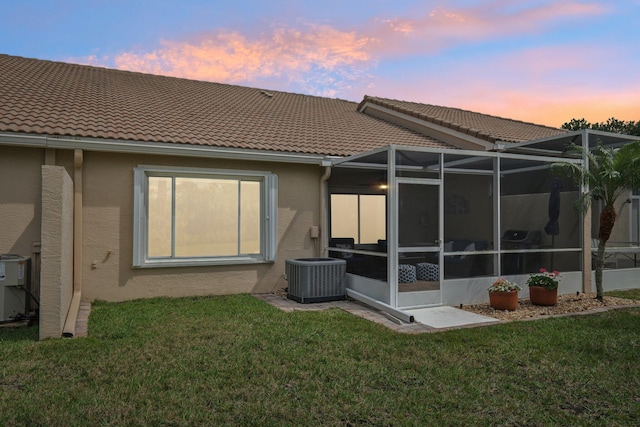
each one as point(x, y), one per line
point(69, 329)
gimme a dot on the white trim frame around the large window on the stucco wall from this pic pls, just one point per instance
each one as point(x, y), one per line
point(269, 218)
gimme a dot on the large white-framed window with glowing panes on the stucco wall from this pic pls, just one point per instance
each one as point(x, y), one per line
point(194, 216)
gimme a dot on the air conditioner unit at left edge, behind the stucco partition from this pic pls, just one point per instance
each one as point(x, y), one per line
point(14, 278)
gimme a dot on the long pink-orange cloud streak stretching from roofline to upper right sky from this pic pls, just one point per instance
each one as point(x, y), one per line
point(288, 54)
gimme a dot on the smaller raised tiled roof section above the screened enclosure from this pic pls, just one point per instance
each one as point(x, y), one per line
point(489, 128)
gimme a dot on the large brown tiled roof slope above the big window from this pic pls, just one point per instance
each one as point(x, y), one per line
point(54, 98)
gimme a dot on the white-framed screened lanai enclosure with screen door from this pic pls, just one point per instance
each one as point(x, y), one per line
point(420, 227)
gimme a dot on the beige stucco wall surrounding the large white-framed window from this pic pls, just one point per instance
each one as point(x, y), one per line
point(108, 231)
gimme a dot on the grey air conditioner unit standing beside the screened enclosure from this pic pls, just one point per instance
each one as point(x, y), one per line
point(316, 279)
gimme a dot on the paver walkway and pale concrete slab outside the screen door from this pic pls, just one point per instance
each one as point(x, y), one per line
point(434, 319)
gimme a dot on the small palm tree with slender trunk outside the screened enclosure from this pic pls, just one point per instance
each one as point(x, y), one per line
point(610, 173)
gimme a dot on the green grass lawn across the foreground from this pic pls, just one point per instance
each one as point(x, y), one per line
point(235, 360)
